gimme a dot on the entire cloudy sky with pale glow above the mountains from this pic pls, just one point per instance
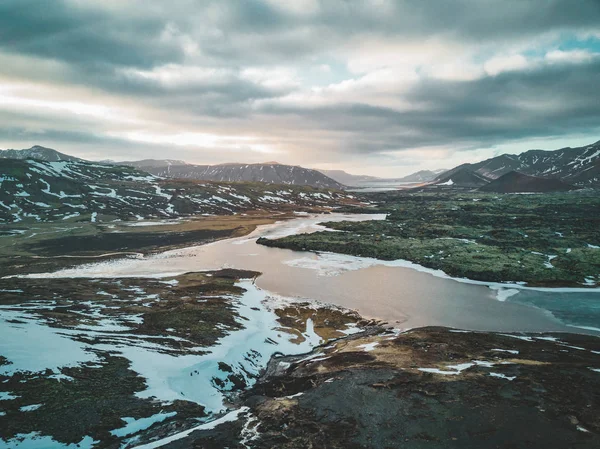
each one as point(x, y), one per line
point(379, 87)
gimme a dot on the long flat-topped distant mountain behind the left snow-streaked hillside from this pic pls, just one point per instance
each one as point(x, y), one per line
point(270, 173)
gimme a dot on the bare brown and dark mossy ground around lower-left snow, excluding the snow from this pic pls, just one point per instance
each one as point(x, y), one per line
point(181, 315)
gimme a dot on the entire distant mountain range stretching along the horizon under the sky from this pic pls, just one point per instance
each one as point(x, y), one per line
point(578, 167)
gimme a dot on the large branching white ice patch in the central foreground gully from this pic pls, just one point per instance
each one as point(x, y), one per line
point(247, 351)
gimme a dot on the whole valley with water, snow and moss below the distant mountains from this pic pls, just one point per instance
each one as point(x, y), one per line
point(140, 312)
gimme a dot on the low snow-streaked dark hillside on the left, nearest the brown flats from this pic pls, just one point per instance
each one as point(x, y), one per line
point(34, 190)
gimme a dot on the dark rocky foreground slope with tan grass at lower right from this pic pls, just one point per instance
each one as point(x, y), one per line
point(429, 387)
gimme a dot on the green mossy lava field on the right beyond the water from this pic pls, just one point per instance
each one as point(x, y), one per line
point(543, 240)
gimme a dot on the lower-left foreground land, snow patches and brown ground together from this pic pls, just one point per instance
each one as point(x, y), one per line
point(108, 363)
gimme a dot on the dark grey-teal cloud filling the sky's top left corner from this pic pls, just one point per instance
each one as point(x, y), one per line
point(83, 35)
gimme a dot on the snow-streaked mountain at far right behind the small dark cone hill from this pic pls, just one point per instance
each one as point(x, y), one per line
point(578, 166)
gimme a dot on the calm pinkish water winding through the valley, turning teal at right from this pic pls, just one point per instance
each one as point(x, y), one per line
point(403, 296)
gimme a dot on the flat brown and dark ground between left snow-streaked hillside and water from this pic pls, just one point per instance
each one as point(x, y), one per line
point(45, 247)
